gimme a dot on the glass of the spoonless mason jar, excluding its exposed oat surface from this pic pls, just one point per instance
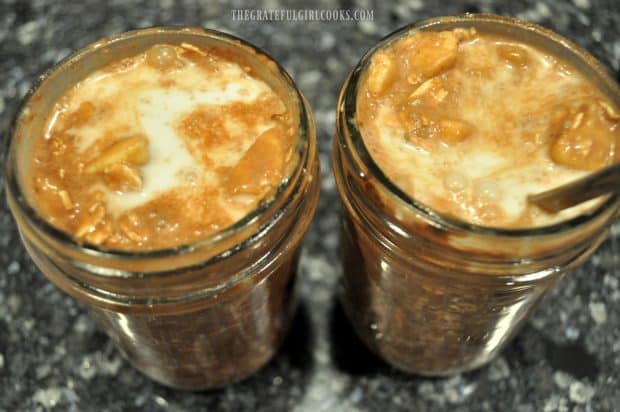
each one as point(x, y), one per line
point(195, 316)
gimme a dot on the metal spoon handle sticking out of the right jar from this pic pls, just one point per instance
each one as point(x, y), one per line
point(571, 194)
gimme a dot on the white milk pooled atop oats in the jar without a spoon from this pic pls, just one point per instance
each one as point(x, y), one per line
point(140, 99)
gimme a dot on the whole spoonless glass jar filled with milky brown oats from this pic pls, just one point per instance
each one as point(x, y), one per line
point(166, 178)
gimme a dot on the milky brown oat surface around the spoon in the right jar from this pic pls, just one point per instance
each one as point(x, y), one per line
point(469, 124)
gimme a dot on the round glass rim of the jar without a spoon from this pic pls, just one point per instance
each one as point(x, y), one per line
point(303, 143)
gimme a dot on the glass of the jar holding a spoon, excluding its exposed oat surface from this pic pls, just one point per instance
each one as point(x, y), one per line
point(429, 293)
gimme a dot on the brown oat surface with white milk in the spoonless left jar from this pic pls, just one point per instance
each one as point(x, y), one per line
point(161, 149)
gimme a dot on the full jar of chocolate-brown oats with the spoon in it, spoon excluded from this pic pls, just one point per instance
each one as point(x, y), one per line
point(443, 130)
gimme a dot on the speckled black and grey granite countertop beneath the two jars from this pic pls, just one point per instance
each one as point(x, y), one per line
point(53, 357)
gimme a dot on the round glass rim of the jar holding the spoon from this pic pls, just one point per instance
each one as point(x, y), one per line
point(352, 138)
